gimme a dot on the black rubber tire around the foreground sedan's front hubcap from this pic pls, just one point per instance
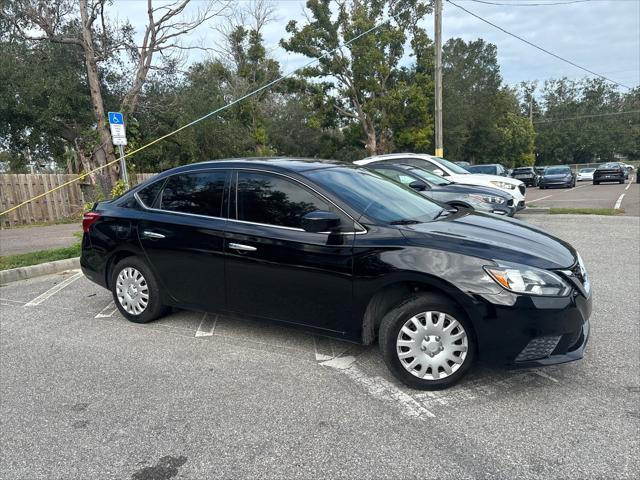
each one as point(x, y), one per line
point(392, 324)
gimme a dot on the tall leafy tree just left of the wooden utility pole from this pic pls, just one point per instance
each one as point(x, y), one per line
point(361, 75)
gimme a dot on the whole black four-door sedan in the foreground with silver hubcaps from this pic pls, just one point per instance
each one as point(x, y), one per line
point(343, 252)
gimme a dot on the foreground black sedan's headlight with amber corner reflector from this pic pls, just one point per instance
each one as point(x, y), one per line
point(528, 280)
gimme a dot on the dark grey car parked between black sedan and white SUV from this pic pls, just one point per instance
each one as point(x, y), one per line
point(482, 199)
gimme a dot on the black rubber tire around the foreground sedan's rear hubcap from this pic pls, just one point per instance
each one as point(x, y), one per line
point(154, 307)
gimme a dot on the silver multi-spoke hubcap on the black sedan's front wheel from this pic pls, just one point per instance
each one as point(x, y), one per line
point(432, 345)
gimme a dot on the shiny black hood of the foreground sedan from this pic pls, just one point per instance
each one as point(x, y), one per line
point(493, 238)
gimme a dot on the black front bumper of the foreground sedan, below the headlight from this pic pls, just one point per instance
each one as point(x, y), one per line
point(527, 331)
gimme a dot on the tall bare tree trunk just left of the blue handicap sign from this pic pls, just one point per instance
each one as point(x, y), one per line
point(104, 154)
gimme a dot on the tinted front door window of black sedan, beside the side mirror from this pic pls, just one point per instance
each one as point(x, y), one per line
point(274, 200)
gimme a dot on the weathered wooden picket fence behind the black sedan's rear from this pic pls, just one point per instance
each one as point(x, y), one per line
point(67, 202)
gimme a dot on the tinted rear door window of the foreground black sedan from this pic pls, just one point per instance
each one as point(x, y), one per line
point(196, 193)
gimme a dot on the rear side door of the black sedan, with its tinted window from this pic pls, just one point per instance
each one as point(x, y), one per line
point(182, 236)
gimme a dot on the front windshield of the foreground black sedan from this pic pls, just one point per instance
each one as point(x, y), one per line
point(373, 194)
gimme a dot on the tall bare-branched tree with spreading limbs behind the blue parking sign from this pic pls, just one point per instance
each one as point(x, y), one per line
point(86, 27)
